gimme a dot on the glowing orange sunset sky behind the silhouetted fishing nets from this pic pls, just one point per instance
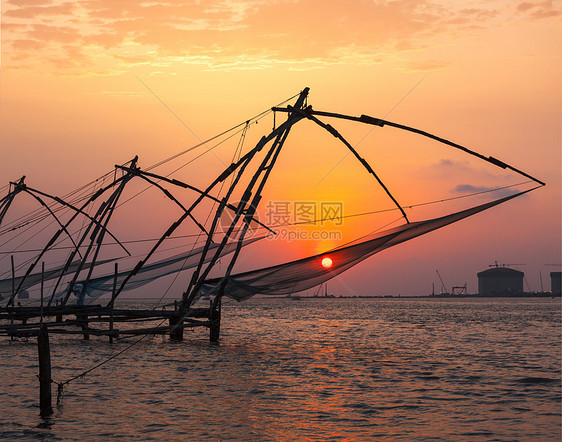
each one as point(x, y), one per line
point(485, 74)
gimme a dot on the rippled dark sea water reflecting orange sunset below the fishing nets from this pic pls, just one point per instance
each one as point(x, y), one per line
point(337, 369)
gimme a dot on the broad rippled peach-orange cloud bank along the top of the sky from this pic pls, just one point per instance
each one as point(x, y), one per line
point(233, 33)
